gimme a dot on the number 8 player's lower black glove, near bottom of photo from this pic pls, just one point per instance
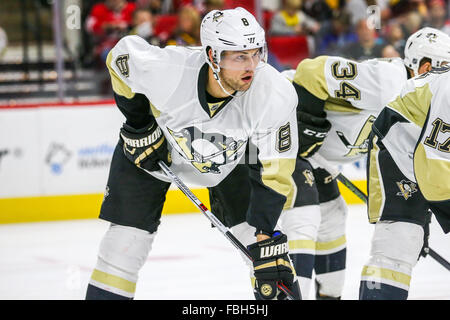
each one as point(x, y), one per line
point(271, 265)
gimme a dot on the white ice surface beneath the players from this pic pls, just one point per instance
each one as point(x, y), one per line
point(189, 261)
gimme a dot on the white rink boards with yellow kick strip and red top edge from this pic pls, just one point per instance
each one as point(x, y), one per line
point(54, 162)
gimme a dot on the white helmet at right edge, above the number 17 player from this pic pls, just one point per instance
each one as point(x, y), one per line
point(427, 43)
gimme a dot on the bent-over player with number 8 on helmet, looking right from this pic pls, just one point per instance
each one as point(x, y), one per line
point(198, 110)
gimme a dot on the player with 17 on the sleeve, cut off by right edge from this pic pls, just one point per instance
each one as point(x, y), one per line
point(408, 174)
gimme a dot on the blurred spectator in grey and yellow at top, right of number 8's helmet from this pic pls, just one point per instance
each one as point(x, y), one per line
point(291, 21)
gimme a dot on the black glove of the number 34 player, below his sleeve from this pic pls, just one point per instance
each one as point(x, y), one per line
point(312, 130)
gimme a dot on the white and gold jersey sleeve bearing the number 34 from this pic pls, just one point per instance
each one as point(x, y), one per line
point(367, 85)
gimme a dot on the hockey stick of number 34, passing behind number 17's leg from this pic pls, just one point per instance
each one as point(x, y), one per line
point(336, 174)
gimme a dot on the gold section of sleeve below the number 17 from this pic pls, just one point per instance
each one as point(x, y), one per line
point(430, 174)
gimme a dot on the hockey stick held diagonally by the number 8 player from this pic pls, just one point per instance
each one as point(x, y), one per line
point(212, 218)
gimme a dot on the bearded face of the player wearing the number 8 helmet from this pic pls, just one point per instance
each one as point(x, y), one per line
point(237, 68)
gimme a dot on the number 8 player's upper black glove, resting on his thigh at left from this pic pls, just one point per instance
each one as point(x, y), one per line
point(146, 146)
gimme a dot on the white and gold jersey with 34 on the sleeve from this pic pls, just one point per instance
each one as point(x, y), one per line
point(354, 94)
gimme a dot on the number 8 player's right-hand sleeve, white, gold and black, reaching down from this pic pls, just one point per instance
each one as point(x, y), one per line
point(272, 160)
